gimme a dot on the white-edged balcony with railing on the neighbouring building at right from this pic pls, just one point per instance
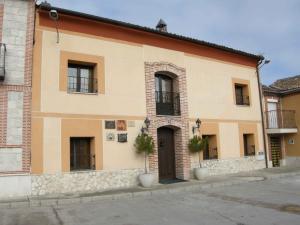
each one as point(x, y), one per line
point(281, 121)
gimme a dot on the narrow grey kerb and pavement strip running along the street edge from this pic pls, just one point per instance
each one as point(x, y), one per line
point(192, 187)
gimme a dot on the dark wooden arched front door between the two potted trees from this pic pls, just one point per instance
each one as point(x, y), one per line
point(166, 153)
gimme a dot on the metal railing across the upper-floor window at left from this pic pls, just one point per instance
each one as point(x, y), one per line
point(82, 84)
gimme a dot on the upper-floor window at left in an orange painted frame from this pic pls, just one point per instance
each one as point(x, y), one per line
point(81, 79)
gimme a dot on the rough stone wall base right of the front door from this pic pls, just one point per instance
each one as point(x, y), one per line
point(229, 166)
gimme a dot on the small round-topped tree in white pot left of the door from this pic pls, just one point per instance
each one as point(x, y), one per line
point(145, 144)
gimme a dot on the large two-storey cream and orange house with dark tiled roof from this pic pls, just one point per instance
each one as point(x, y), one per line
point(96, 80)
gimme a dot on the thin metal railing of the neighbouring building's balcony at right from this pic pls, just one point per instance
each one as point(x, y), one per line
point(281, 119)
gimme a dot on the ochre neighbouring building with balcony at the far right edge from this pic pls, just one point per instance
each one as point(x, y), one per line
point(282, 106)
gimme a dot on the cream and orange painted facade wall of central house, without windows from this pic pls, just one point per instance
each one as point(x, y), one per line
point(207, 92)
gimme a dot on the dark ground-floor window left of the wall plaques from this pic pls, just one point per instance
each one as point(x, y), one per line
point(80, 155)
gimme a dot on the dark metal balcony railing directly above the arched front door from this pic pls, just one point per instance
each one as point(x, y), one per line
point(167, 103)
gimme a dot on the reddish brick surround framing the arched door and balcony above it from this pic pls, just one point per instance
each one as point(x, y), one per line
point(180, 124)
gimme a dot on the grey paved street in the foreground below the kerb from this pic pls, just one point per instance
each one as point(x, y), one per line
point(275, 201)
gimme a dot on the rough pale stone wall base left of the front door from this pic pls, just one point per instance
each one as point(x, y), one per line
point(84, 181)
